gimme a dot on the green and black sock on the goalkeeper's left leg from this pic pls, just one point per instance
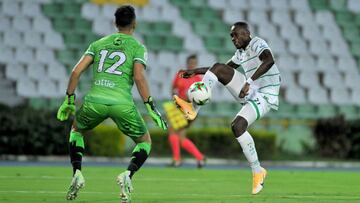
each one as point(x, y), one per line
point(76, 148)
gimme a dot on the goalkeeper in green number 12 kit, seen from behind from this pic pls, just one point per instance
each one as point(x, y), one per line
point(117, 61)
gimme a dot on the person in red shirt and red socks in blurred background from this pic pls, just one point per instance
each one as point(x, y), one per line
point(177, 137)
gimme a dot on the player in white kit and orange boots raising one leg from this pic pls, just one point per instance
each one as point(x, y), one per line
point(257, 91)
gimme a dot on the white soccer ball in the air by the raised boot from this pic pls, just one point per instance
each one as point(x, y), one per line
point(199, 93)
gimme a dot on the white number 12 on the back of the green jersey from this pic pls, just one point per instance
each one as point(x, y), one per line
point(113, 68)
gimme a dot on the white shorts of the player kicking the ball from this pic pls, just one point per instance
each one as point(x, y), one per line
point(254, 104)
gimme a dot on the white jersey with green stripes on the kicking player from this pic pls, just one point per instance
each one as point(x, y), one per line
point(269, 83)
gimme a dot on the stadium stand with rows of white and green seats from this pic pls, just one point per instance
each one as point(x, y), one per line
point(315, 43)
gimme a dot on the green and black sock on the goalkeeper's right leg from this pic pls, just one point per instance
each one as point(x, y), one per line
point(138, 157)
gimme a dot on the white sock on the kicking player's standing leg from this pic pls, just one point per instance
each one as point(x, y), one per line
point(248, 146)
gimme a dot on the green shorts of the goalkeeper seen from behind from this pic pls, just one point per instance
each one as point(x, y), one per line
point(126, 117)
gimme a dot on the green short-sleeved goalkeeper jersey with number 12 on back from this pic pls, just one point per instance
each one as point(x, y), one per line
point(114, 57)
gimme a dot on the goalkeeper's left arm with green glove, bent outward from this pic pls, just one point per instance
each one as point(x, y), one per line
point(67, 108)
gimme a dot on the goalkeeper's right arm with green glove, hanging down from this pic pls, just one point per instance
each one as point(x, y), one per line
point(143, 89)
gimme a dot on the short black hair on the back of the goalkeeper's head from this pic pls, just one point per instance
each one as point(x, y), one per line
point(124, 16)
